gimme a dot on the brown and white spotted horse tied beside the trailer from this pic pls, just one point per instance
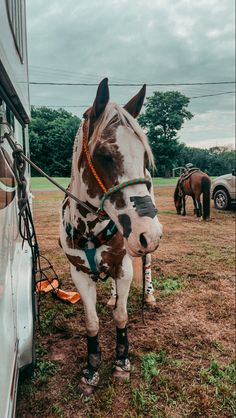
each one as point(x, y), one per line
point(108, 172)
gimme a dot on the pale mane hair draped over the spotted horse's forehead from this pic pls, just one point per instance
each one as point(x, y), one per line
point(126, 119)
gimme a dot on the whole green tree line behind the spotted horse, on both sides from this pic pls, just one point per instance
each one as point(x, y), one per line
point(52, 133)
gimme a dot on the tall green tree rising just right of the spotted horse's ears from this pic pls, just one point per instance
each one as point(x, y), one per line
point(164, 116)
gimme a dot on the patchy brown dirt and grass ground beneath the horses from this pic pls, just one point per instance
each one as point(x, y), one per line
point(182, 359)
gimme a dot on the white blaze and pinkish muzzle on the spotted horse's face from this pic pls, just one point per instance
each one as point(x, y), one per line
point(142, 233)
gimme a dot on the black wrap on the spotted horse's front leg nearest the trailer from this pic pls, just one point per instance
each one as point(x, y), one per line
point(94, 361)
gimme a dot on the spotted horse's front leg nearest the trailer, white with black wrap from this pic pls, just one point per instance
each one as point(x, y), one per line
point(87, 289)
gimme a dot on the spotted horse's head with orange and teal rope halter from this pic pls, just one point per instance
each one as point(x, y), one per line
point(119, 152)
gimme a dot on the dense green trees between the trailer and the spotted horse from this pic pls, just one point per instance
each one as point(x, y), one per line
point(51, 136)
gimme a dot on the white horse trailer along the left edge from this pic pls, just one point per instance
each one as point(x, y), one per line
point(16, 285)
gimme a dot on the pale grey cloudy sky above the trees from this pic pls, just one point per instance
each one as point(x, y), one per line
point(137, 41)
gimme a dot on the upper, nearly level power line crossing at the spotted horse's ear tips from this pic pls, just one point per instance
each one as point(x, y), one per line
point(131, 84)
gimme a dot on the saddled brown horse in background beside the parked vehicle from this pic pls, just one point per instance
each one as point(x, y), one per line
point(194, 184)
